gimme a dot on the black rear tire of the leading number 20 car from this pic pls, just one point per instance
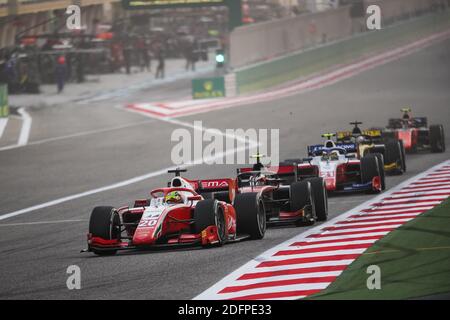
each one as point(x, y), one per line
point(250, 215)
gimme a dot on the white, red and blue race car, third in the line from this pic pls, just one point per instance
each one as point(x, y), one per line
point(342, 171)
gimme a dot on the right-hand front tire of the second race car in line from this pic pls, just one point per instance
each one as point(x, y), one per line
point(301, 197)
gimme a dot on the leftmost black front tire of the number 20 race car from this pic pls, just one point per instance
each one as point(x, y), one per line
point(105, 223)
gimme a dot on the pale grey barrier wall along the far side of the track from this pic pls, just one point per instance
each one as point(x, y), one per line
point(265, 41)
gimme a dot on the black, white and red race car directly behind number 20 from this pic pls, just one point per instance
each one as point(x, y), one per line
point(284, 201)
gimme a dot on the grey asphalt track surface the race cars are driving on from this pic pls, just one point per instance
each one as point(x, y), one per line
point(76, 148)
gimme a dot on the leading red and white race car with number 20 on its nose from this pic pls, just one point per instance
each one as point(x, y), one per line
point(177, 215)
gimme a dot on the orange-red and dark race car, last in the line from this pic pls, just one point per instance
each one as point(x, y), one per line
point(415, 133)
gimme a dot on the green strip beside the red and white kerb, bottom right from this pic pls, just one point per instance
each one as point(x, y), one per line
point(414, 261)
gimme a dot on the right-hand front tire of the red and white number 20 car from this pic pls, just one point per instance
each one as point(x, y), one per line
point(210, 213)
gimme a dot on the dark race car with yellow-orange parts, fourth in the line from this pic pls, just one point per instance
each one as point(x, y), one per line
point(371, 141)
